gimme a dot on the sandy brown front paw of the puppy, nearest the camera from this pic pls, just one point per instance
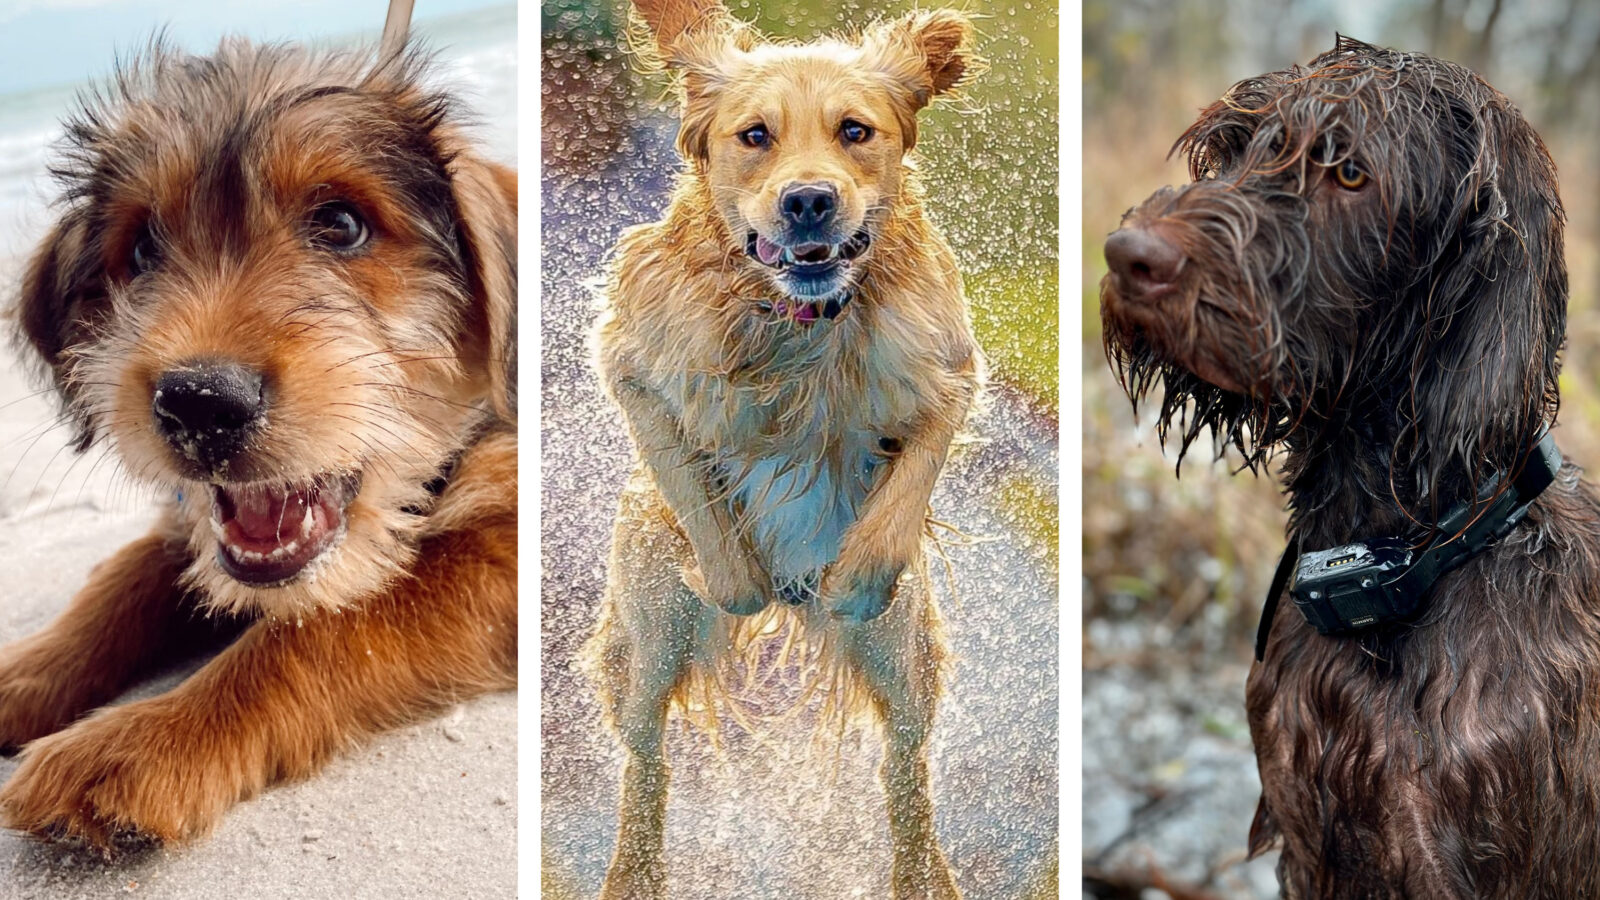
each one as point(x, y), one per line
point(126, 773)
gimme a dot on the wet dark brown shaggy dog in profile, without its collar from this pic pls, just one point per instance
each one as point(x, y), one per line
point(1369, 275)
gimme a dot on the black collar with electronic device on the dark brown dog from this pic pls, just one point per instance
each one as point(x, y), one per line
point(1380, 582)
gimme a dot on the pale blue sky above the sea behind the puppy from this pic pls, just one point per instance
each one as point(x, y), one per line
point(66, 42)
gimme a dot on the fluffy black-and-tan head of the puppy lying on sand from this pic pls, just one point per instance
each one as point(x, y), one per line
point(210, 246)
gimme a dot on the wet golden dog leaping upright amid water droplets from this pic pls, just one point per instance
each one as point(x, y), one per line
point(793, 355)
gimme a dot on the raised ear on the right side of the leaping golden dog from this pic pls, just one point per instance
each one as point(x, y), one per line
point(926, 54)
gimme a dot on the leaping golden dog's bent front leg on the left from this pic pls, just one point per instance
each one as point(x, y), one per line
point(726, 573)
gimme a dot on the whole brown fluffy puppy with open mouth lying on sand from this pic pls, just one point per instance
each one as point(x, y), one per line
point(284, 289)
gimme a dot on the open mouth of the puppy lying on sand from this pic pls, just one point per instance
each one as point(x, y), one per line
point(268, 534)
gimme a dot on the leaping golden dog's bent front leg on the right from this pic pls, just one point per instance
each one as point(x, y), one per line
point(887, 536)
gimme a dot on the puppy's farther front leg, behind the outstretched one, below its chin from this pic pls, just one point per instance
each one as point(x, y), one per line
point(129, 613)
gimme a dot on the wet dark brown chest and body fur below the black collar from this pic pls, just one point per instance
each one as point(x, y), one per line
point(1471, 737)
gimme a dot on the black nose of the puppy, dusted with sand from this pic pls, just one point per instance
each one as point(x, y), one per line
point(209, 411)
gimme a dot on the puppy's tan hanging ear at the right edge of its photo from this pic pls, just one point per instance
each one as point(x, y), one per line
point(487, 198)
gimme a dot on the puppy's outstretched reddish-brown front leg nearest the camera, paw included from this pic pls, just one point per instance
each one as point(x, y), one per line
point(279, 702)
